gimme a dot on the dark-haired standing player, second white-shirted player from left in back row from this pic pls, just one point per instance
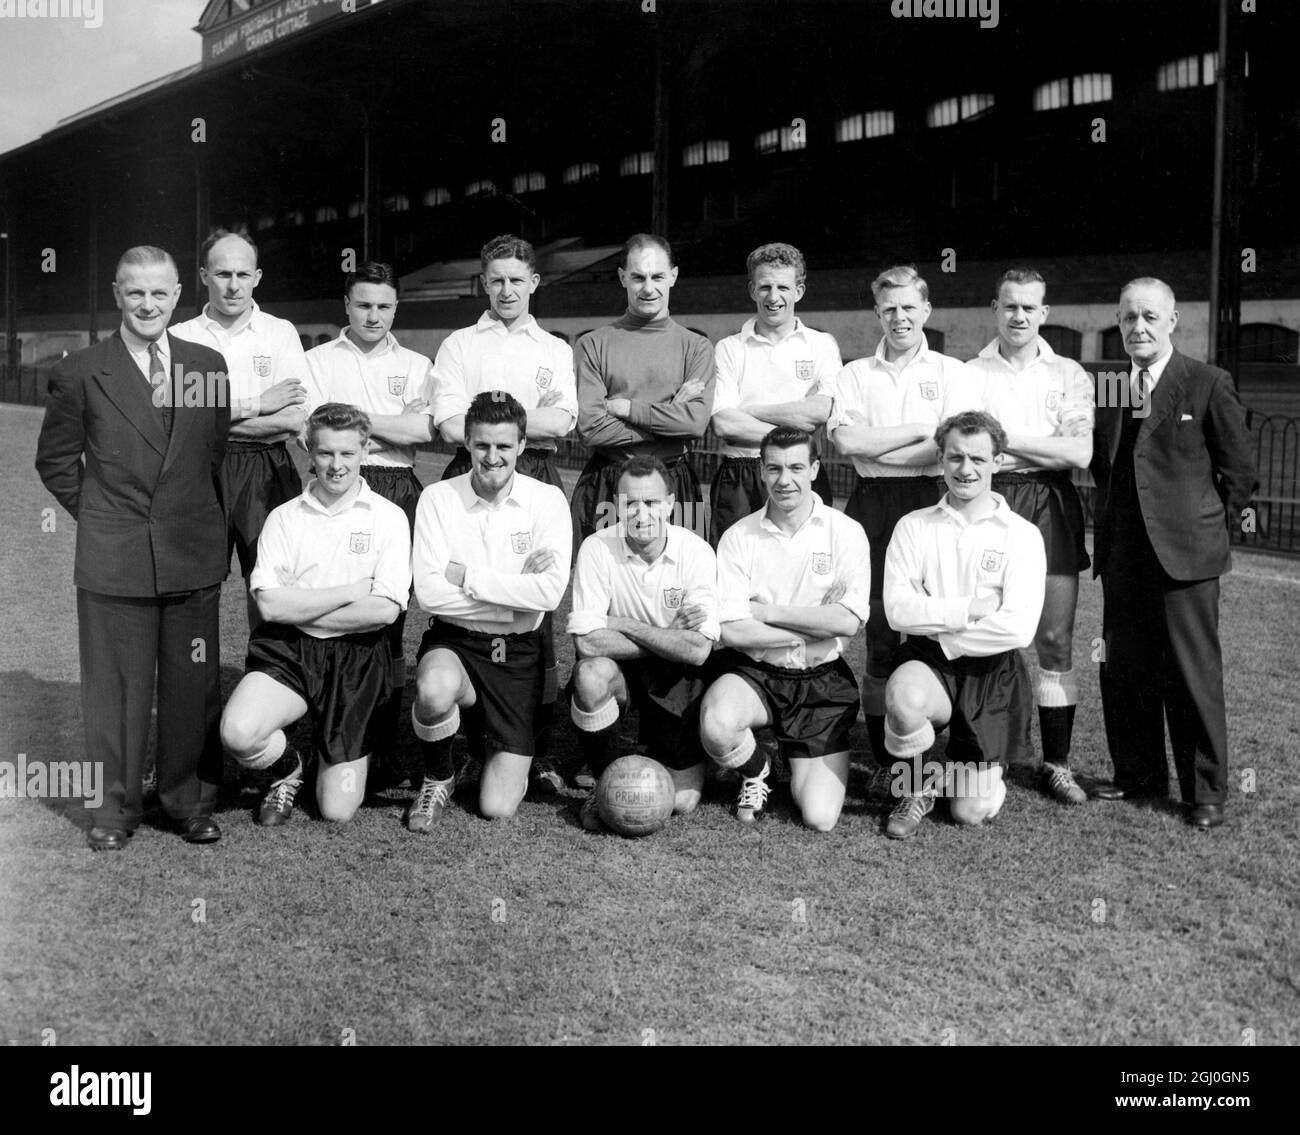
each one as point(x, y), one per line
point(367, 367)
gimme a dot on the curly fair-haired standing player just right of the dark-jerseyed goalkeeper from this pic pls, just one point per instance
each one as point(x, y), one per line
point(777, 371)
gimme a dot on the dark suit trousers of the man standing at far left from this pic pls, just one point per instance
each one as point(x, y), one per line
point(125, 643)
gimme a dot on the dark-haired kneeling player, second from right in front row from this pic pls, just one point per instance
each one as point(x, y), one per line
point(795, 584)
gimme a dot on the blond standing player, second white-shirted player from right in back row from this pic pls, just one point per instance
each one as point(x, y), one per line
point(887, 409)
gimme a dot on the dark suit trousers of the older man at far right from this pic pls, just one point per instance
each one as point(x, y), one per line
point(1163, 662)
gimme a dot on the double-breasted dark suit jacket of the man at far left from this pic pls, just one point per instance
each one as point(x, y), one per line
point(149, 510)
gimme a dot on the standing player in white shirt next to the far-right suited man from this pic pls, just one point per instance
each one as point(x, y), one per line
point(1046, 405)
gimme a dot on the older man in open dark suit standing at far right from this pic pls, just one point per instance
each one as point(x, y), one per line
point(1175, 471)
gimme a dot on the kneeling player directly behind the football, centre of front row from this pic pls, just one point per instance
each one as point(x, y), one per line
point(644, 621)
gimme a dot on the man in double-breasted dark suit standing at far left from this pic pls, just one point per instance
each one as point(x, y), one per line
point(135, 434)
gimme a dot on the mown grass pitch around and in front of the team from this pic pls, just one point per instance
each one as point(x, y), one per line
point(1099, 925)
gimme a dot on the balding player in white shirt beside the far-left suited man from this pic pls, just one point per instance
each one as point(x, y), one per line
point(268, 393)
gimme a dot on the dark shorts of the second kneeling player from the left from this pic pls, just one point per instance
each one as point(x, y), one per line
point(508, 673)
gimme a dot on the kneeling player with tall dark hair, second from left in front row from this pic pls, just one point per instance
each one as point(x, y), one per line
point(491, 560)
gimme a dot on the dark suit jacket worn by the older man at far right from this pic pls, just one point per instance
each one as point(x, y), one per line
point(1194, 466)
